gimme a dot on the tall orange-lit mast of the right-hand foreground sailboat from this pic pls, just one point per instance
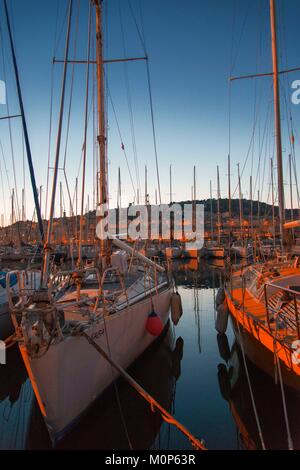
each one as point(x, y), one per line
point(277, 119)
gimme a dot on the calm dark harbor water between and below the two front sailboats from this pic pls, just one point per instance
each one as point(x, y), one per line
point(198, 375)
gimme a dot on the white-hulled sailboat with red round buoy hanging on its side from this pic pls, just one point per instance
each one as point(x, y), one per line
point(120, 306)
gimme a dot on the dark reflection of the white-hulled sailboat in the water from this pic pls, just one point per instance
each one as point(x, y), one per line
point(120, 418)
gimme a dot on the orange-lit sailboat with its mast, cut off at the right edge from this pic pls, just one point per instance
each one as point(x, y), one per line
point(264, 298)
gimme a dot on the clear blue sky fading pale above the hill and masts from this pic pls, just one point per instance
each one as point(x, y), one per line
point(192, 45)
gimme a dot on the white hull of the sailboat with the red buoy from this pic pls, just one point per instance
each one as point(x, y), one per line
point(72, 374)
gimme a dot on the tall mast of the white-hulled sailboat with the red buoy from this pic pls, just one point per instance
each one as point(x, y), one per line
point(101, 111)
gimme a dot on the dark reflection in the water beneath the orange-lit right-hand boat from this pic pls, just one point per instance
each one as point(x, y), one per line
point(235, 389)
